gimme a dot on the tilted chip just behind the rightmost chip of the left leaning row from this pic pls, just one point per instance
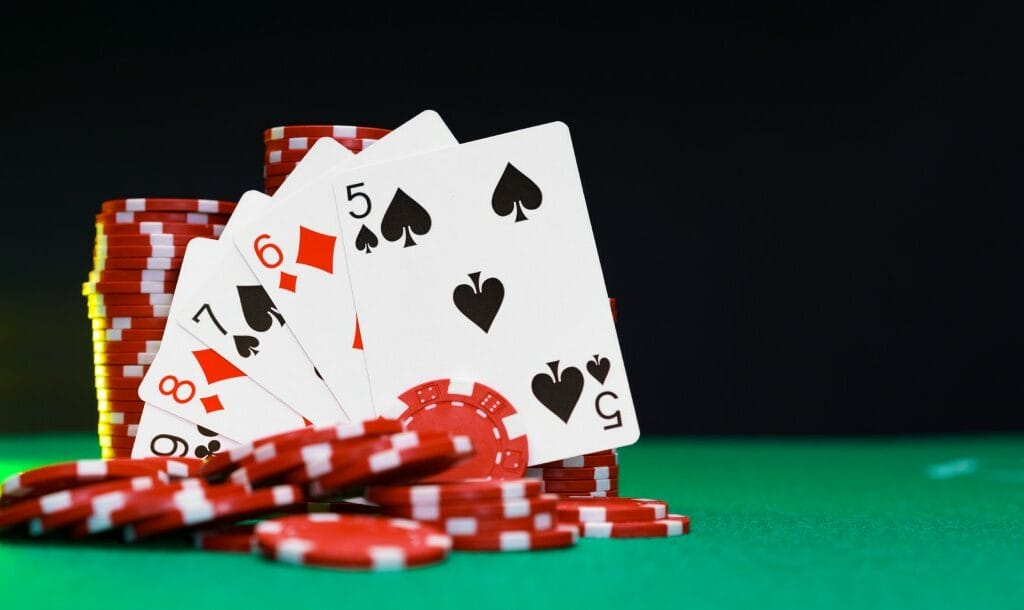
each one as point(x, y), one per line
point(127, 508)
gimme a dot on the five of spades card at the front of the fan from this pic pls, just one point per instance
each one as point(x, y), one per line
point(479, 263)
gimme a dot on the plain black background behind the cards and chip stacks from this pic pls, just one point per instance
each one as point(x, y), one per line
point(809, 217)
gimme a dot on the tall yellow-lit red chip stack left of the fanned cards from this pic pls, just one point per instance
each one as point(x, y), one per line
point(139, 250)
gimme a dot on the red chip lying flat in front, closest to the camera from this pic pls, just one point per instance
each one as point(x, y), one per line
point(352, 542)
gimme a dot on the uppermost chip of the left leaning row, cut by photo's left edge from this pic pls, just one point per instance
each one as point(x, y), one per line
point(68, 475)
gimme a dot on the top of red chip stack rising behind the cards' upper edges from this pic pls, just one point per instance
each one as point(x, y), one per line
point(285, 147)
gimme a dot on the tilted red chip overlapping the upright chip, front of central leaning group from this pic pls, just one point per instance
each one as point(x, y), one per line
point(394, 466)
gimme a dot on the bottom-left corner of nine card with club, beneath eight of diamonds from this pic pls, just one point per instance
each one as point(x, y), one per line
point(162, 434)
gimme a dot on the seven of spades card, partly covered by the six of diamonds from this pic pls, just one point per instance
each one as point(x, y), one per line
point(233, 314)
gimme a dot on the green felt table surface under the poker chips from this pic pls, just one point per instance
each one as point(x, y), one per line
point(915, 524)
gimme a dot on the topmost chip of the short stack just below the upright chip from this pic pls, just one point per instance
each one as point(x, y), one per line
point(458, 492)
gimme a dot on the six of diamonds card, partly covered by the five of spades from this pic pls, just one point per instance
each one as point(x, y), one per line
point(297, 256)
